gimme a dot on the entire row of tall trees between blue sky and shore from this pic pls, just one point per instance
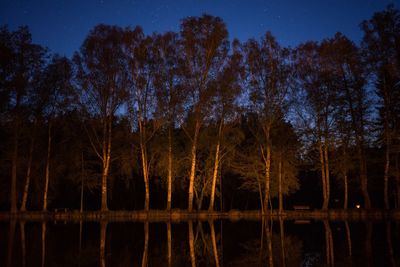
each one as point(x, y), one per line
point(187, 118)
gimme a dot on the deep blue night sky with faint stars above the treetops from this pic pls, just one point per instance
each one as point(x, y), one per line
point(62, 25)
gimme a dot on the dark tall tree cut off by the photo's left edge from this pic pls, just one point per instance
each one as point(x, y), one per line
point(20, 61)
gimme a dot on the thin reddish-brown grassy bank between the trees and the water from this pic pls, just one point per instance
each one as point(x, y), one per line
point(184, 215)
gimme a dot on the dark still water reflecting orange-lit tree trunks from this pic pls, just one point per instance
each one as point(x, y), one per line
point(207, 243)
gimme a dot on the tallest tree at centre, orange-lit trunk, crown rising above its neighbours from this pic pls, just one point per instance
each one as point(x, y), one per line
point(205, 46)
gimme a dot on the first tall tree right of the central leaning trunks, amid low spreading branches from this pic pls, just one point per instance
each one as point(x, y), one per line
point(268, 81)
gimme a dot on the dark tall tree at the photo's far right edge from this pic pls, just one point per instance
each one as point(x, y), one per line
point(381, 45)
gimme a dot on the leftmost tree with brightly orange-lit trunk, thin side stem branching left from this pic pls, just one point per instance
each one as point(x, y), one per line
point(102, 82)
